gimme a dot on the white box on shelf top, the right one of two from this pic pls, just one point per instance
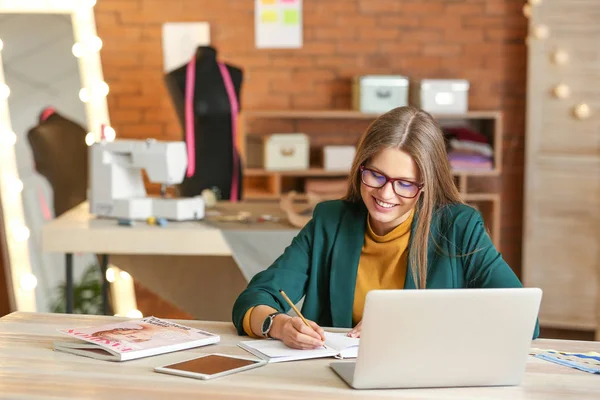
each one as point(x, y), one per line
point(443, 96)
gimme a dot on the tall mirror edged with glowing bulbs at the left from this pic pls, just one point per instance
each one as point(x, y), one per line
point(52, 106)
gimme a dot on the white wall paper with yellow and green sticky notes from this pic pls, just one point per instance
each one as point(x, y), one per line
point(278, 24)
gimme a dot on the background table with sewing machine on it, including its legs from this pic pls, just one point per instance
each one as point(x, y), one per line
point(159, 257)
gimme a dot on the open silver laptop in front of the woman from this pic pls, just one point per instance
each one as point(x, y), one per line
point(443, 338)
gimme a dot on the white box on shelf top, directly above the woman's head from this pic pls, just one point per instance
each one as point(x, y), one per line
point(379, 93)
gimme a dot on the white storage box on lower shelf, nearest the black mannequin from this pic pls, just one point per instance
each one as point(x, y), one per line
point(278, 152)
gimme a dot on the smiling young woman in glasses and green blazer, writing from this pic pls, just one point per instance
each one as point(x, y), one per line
point(402, 225)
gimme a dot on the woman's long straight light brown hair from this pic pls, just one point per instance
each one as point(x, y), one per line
point(415, 132)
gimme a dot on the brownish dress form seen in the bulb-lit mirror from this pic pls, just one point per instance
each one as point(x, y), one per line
point(61, 156)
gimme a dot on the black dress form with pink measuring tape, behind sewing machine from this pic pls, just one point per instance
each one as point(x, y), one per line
point(213, 142)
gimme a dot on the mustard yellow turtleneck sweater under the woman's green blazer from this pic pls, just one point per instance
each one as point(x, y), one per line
point(382, 265)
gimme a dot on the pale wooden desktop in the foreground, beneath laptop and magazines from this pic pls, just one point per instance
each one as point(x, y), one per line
point(31, 369)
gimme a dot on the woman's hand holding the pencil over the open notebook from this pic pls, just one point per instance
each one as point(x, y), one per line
point(294, 333)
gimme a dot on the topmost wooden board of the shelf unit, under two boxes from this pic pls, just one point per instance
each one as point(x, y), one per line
point(351, 114)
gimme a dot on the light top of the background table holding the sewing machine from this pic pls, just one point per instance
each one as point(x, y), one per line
point(79, 231)
